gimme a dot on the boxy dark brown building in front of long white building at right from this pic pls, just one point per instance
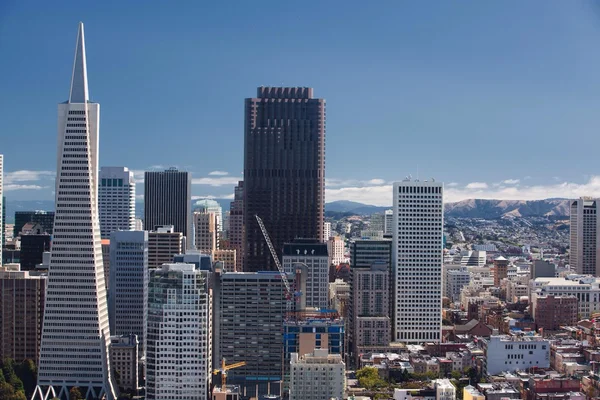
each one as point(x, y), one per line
point(550, 313)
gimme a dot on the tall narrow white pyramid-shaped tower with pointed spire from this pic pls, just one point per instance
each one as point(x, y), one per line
point(75, 334)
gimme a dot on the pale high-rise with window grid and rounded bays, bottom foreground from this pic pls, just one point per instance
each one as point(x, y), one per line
point(179, 343)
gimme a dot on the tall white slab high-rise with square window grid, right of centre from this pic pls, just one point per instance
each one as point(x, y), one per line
point(417, 258)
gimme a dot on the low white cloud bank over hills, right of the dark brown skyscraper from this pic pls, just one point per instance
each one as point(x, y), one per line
point(381, 195)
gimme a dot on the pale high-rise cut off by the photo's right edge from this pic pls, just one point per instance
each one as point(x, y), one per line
point(584, 252)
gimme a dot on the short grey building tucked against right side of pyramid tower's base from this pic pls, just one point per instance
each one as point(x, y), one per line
point(124, 357)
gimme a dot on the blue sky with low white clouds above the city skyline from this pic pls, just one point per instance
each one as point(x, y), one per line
point(493, 98)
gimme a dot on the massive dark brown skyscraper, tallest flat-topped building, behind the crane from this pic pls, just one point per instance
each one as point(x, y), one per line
point(284, 170)
